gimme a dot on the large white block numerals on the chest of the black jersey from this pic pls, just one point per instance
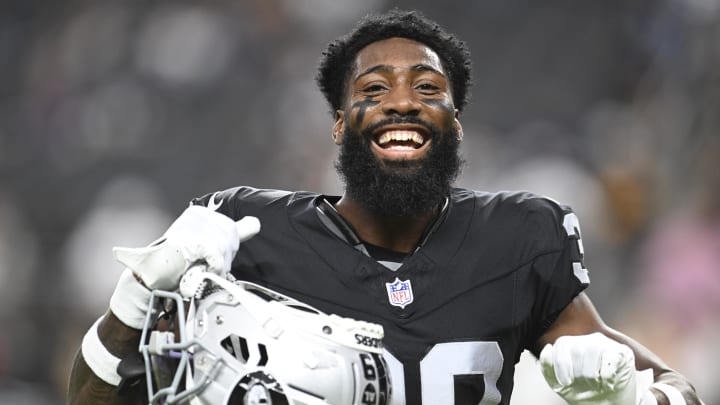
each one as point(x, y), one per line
point(449, 366)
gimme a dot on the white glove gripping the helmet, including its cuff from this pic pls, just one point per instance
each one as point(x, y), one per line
point(199, 236)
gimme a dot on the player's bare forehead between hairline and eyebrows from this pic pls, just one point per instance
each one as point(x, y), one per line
point(396, 53)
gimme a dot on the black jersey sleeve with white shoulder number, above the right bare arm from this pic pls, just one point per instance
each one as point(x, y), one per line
point(561, 273)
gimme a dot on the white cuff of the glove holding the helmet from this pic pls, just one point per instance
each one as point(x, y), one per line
point(130, 300)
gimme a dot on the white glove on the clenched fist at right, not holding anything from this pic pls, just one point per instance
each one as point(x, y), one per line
point(594, 370)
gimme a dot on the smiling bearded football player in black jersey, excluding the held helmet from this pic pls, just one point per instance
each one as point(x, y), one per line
point(462, 281)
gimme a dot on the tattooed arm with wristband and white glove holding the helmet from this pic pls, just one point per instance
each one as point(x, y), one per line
point(199, 235)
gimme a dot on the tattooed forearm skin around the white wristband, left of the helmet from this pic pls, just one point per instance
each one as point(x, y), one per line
point(86, 388)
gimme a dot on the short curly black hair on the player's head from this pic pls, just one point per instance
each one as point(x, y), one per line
point(337, 61)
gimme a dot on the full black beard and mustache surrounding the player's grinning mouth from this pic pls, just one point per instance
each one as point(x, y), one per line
point(399, 188)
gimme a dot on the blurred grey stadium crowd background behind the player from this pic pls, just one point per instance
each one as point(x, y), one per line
point(113, 114)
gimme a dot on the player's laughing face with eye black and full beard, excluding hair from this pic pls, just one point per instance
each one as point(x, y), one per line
point(398, 132)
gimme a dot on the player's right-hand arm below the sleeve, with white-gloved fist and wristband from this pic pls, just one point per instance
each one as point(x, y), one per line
point(568, 369)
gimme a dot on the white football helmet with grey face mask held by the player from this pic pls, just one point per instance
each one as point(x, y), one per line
point(245, 344)
